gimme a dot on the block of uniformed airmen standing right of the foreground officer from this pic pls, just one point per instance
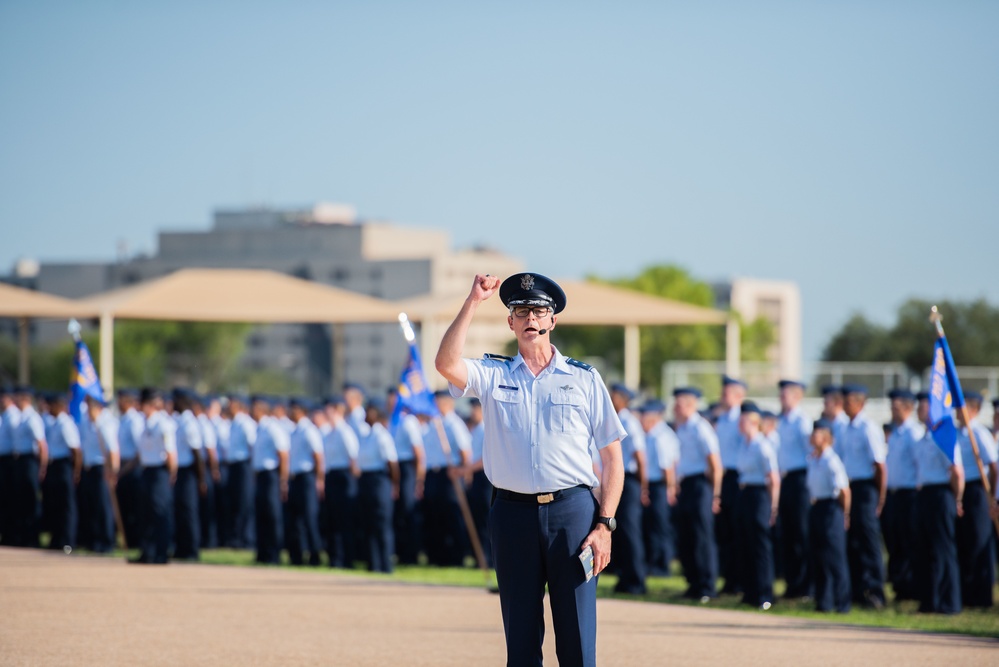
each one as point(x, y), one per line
point(744, 495)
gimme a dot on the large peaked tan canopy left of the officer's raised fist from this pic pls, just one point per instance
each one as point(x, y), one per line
point(231, 295)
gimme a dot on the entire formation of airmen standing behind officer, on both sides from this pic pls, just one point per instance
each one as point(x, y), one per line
point(732, 492)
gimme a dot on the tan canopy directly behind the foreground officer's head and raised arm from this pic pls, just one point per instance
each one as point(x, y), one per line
point(589, 303)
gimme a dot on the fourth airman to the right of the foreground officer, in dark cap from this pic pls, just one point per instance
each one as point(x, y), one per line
point(730, 446)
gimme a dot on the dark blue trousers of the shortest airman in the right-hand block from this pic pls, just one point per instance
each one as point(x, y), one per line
point(827, 546)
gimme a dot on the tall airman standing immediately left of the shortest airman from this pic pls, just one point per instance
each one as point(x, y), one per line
point(794, 431)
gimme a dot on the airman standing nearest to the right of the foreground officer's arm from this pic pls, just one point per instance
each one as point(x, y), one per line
point(627, 539)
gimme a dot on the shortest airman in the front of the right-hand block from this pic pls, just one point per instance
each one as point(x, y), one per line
point(828, 518)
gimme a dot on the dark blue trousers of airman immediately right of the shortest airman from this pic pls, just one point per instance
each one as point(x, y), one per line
point(863, 543)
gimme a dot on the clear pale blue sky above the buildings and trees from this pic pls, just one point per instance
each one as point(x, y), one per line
point(852, 147)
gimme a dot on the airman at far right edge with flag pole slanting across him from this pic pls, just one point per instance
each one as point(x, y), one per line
point(974, 527)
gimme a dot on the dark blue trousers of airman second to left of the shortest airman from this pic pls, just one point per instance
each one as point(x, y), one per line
point(756, 548)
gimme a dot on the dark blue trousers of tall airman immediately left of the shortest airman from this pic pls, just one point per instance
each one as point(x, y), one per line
point(793, 507)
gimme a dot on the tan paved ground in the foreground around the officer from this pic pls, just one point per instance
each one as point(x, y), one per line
point(57, 610)
